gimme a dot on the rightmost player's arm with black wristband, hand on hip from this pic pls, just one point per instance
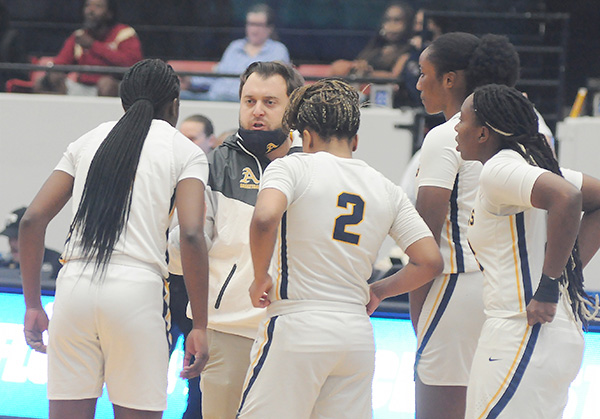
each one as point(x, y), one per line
point(563, 203)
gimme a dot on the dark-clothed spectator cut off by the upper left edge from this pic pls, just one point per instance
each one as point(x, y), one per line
point(11, 48)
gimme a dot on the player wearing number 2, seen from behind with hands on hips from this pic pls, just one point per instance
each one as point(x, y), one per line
point(330, 214)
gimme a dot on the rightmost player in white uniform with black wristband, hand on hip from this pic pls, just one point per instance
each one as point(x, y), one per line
point(526, 233)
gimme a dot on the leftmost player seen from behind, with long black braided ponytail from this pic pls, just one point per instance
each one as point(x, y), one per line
point(108, 322)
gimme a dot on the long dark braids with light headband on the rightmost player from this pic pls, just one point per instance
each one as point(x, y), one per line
point(511, 115)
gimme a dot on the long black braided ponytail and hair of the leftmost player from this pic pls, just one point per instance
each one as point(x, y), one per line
point(105, 204)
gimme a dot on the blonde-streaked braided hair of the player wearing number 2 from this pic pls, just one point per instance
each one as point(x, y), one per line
point(330, 107)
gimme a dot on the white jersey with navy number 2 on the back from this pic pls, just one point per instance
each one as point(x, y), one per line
point(328, 256)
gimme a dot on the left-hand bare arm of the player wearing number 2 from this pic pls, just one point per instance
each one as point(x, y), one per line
point(270, 206)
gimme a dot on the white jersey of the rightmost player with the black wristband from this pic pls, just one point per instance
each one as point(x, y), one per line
point(508, 234)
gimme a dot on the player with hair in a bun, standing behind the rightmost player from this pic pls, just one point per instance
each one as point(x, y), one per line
point(451, 67)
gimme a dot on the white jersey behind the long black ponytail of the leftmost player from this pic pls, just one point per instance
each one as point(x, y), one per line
point(167, 157)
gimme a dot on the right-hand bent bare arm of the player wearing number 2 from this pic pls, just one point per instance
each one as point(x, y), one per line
point(425, 263)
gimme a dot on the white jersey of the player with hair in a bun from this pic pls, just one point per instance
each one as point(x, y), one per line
point(441, 166)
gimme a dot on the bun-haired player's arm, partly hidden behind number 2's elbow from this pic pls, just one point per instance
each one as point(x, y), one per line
point(432, 205)
